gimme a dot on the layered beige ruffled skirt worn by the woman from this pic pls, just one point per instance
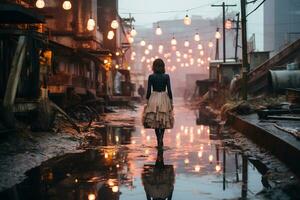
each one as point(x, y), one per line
point(158, 113)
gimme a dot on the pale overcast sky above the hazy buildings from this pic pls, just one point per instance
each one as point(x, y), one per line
point(146, 12)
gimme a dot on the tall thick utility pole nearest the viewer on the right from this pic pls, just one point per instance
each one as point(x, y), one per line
point(245, 65)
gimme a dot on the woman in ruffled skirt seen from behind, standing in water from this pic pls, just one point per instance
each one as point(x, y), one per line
point(158, 113)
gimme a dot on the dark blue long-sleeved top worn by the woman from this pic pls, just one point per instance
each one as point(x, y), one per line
point(159, 83)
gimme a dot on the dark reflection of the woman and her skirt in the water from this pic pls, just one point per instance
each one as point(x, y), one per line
point(158, 179)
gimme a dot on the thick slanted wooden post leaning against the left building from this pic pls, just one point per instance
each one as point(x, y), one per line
point(14, 75)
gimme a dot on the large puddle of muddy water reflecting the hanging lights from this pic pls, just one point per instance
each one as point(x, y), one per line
point(126, 165)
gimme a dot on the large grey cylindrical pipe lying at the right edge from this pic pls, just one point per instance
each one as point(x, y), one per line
point(279, 80)
